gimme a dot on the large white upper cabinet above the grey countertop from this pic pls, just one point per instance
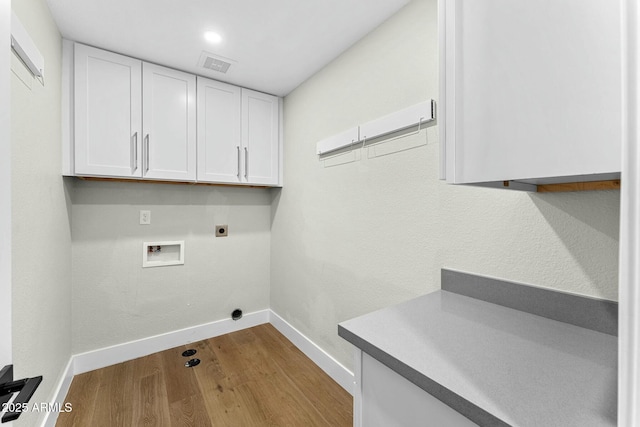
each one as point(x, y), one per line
point(530, 90)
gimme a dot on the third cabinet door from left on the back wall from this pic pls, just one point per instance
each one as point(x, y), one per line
point(219, 125)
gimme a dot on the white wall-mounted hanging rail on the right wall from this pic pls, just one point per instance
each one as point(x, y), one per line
point(416, 115)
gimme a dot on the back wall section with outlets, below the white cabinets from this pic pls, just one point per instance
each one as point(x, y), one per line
point(115, 300)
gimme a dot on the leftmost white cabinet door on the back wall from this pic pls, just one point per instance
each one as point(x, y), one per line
point(107, 117)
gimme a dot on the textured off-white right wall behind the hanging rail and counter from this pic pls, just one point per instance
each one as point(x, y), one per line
point(366, 230)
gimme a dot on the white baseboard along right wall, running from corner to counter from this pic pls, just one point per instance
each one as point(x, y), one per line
point(324, 360)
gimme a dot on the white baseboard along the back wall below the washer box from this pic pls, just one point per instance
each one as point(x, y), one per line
point(108, 356)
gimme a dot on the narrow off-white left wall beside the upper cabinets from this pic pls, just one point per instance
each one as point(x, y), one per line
point(41, 241)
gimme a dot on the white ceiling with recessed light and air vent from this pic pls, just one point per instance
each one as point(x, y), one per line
point(273, 45)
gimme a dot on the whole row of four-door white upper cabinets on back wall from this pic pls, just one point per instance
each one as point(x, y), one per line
point(124, 118)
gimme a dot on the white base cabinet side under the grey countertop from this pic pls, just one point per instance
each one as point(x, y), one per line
point(383, 398)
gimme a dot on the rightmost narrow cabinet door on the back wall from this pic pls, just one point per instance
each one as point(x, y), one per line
point(260, 138)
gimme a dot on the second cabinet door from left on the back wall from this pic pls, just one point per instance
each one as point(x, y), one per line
point(169, 124)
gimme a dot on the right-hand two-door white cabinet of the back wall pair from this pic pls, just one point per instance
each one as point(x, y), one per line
point(238, 135)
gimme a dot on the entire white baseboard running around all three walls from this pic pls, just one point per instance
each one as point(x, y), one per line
point(101, 358)
